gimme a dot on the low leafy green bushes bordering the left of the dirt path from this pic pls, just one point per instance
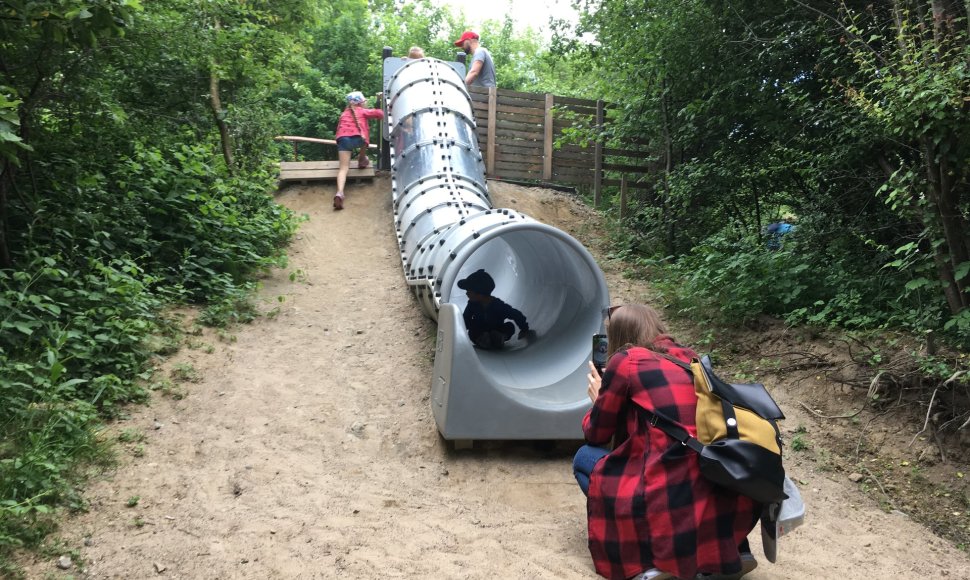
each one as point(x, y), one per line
point(158, 227)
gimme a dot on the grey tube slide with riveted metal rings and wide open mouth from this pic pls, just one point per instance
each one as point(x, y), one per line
point(533, 388)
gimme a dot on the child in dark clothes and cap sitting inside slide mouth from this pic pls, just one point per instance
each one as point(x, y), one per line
point(486, 316)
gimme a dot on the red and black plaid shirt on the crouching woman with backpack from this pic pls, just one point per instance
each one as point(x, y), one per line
point(649, 506)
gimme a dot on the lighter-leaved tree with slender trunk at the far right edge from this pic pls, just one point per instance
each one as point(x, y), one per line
point(911, 80)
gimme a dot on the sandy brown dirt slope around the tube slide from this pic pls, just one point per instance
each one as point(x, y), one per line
point(307, 448)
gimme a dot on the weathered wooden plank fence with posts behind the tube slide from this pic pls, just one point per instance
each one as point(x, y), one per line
point(518, 134)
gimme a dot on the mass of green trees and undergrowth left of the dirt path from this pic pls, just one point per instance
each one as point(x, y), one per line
point(117, 196)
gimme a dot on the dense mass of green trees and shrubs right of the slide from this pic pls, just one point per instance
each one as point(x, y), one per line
point(754, 111)
